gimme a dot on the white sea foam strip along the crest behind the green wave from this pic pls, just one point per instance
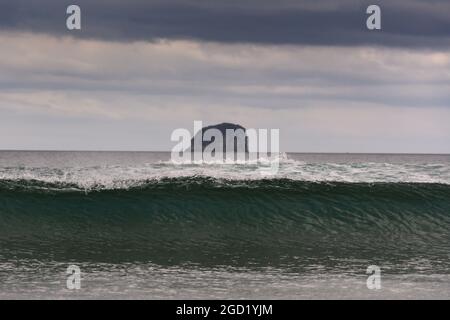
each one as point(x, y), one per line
point(119, 177)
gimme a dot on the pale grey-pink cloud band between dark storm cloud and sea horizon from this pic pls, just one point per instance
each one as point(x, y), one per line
point(74, 93)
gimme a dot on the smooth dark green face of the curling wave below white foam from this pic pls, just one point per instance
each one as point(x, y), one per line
point(210, 221)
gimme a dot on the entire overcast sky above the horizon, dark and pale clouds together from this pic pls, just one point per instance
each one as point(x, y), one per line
point(140, 69)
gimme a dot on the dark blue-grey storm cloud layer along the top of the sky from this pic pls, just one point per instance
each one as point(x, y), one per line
point(409, 23)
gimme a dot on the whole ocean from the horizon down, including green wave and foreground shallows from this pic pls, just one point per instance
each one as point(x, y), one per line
point(140, 227)
